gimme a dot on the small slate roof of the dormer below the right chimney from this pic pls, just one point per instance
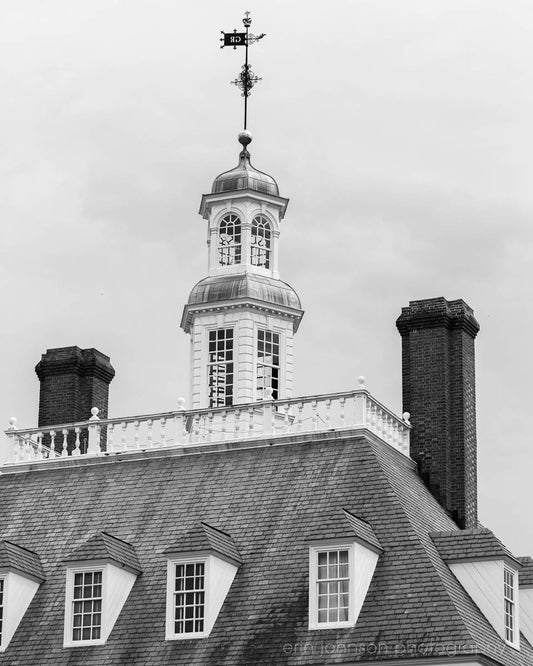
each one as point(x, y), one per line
point(470, 544)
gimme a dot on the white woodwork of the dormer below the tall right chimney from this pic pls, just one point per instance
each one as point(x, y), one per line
point(483, 580)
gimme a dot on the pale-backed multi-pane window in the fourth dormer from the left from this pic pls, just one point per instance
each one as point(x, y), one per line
point(333, 585)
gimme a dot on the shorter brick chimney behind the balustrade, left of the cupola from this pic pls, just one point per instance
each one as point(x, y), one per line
point(73, 381)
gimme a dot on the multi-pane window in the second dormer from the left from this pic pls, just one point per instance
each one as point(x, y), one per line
point(87, 606)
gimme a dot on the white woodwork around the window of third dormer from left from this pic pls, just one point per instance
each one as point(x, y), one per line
point(219, 575)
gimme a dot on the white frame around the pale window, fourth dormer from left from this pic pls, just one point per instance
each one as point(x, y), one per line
point(313, 584)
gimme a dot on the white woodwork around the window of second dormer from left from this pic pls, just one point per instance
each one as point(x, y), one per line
point(117, 583)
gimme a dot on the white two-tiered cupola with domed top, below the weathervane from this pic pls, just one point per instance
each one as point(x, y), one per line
point(242, 317)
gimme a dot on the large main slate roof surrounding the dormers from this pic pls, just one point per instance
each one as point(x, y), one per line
point(271, 499)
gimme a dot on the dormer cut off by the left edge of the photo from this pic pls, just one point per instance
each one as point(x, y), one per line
point(21, 574)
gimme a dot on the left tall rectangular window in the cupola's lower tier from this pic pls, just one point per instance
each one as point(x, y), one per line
point(220, 367)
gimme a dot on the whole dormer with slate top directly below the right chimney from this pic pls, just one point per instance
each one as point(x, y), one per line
point(489, 574)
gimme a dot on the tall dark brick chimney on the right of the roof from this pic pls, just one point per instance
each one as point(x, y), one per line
point(439, 392)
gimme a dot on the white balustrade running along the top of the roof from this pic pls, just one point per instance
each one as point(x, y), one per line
point(352, 410)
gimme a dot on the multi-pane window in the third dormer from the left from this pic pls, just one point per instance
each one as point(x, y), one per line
point(189, 597)
